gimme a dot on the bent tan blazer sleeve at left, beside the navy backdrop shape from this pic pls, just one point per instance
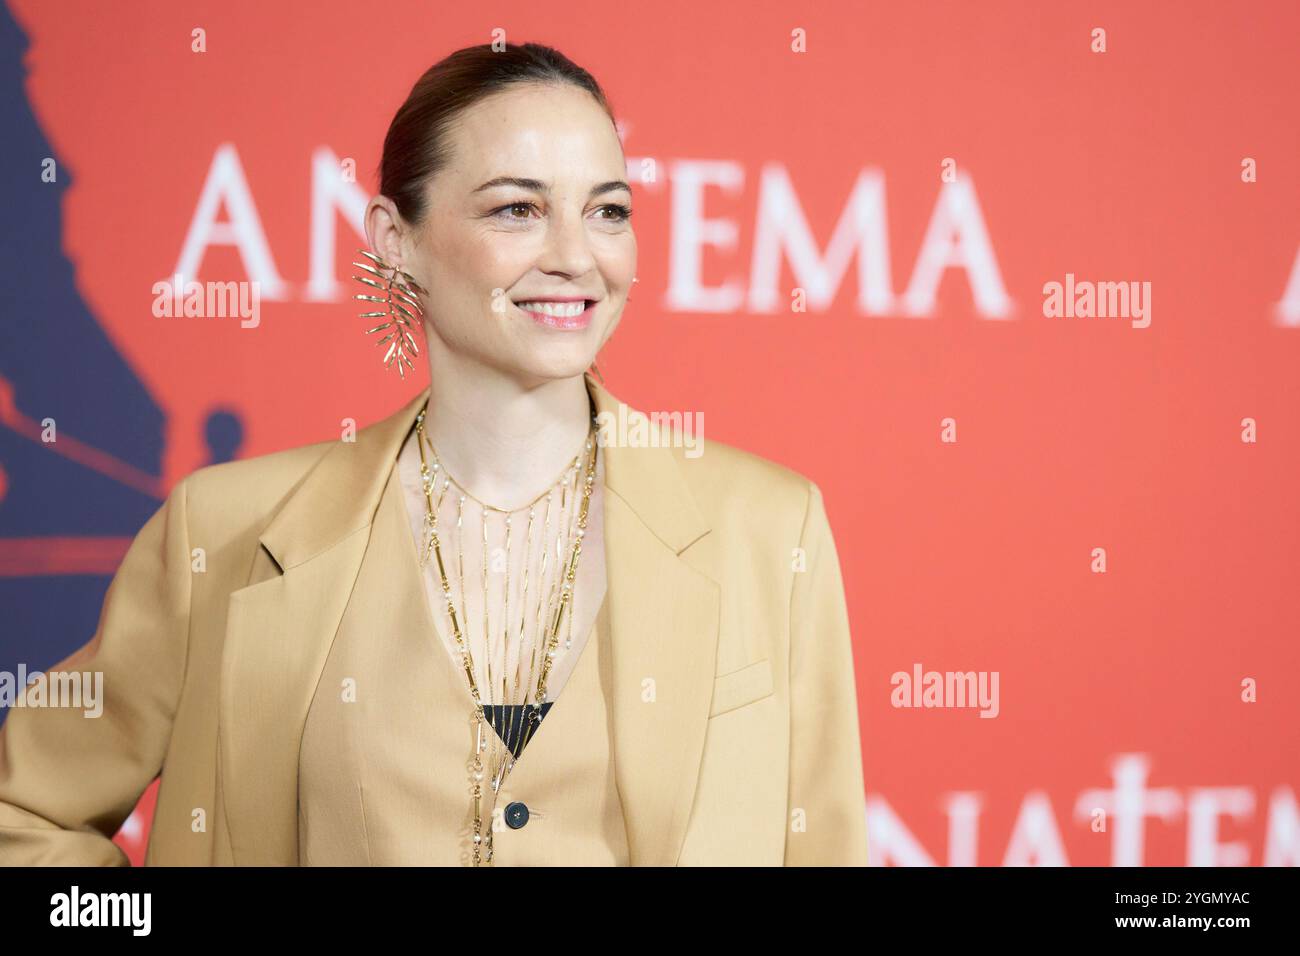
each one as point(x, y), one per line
point(68, 781)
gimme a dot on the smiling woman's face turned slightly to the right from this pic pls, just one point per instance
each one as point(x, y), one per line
point(532, 207)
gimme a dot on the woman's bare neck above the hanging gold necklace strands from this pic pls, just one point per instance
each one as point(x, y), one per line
point(504, 442)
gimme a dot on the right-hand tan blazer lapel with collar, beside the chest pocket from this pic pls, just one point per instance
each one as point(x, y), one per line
point(664, 631)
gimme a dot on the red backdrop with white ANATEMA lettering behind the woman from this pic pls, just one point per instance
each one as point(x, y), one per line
point(922, 171)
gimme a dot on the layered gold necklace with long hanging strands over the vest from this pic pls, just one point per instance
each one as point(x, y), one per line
point(502, 728)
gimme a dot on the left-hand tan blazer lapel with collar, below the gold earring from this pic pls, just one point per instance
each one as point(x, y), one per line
point(280, 629)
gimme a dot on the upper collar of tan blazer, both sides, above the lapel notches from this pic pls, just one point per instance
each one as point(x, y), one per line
point(341, 495)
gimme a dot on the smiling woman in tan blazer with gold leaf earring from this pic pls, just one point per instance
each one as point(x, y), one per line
point(487, 630)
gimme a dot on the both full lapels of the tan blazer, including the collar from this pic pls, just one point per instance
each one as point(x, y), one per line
point(664, 633)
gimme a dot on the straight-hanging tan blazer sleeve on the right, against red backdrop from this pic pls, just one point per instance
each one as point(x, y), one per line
point(826, 754)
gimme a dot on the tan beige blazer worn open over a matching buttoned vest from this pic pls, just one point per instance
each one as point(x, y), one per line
point(735, 721)
